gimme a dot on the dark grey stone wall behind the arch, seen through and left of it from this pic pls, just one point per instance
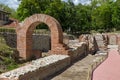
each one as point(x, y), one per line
point(40, 42)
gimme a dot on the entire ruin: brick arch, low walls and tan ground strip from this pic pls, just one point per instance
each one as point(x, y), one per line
point(90, 50)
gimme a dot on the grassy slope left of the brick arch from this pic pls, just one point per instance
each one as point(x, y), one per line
point(6, 57)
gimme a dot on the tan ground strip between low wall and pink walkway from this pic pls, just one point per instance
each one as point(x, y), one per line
point(79, 70)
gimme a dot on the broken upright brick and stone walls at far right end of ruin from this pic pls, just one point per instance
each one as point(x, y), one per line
point(100, 41)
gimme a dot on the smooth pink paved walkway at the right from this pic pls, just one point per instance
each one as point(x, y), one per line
point(110, 68)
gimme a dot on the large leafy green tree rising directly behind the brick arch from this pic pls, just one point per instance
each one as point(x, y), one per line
point(58, 9)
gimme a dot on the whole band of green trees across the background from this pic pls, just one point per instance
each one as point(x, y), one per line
point(100, 15)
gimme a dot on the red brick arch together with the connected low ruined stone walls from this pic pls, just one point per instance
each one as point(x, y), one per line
point(40, 68)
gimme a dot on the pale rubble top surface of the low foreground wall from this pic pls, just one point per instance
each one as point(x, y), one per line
point(35, 65)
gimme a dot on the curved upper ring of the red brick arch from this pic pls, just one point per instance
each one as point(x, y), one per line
point(53, 24)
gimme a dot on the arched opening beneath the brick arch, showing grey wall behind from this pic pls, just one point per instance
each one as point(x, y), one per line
point(41, 40)
